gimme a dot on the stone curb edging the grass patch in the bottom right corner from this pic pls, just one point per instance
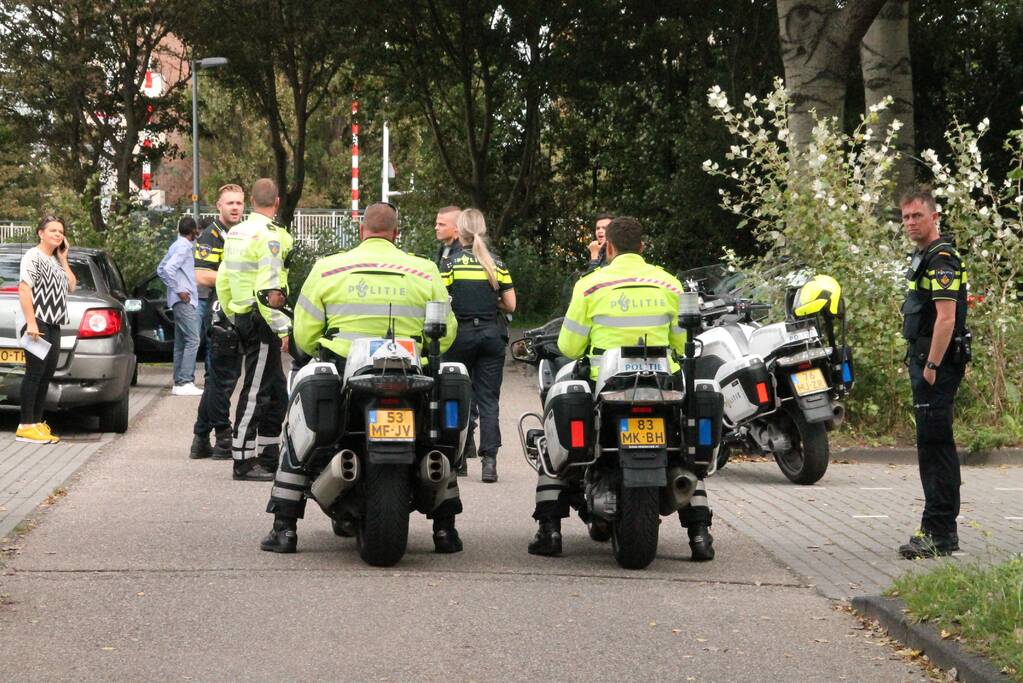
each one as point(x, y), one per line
point(948, 655)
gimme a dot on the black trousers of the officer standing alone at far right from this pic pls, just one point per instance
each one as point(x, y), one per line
point(940, 466)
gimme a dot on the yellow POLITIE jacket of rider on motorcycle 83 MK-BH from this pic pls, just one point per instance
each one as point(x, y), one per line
point(626, 303)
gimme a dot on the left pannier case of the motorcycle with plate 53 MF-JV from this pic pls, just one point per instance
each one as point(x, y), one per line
point(315, 415)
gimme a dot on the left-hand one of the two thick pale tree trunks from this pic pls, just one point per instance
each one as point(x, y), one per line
point(819, 41)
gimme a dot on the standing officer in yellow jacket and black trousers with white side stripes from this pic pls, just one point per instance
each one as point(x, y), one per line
point(252, 290)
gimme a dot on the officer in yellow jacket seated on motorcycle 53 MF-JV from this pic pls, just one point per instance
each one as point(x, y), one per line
point(348, 297)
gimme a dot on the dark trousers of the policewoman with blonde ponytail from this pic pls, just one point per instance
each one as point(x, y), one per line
point(481, 347)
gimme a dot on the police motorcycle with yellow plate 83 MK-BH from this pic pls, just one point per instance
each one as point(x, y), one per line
point(642, 436)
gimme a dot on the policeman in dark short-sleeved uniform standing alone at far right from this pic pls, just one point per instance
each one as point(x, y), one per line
point(935, 327)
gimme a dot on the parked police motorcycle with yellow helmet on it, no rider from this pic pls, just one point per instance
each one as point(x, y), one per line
point(783, 383)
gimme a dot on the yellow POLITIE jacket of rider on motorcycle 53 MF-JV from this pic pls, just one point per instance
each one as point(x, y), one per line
point(351, 296)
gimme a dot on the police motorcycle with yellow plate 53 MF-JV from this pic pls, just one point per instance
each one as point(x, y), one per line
point(381, 439)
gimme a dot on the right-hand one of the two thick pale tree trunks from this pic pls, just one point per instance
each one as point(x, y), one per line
point(887, 71)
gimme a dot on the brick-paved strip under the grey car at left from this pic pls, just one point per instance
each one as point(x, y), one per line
point(30, 473)
